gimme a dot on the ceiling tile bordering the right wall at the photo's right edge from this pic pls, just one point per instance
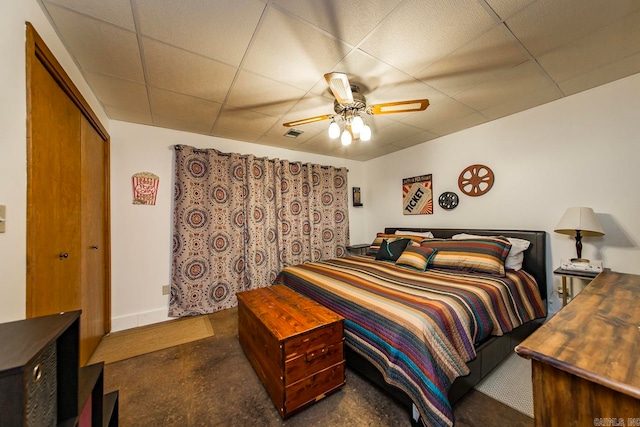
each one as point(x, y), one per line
point(603, 75)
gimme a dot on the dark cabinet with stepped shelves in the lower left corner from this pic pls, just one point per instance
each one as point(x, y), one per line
point(40, 381)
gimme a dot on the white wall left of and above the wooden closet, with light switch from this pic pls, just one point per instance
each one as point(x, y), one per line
point(13, 148)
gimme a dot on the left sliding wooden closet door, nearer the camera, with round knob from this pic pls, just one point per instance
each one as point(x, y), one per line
point(53, 202)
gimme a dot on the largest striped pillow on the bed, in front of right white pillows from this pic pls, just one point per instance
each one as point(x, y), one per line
point(482, 255)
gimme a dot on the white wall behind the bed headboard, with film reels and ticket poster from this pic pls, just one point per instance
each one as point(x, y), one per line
point(583, 150)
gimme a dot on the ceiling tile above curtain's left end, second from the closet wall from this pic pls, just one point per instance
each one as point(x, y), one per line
point(182, 107)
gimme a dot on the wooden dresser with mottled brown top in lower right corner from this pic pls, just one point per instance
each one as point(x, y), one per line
point(586, 359)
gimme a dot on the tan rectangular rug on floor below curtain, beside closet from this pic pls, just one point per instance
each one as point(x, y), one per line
point(134, 342)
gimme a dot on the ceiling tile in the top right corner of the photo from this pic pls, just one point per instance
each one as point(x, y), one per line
point(564, 21)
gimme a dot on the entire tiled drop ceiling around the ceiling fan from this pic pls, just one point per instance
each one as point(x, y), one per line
point(239, 69)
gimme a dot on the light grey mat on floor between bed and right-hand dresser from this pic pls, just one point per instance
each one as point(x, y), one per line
point(510, 383)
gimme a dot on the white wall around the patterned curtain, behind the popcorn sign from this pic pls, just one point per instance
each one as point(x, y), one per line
point(141, 235)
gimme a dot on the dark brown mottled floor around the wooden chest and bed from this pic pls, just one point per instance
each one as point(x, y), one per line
point(209, 382)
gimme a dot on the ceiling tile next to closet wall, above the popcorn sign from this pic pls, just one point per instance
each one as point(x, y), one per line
point(131, 96)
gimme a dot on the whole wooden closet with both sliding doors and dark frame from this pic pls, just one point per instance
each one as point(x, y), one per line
point(67, 200)
